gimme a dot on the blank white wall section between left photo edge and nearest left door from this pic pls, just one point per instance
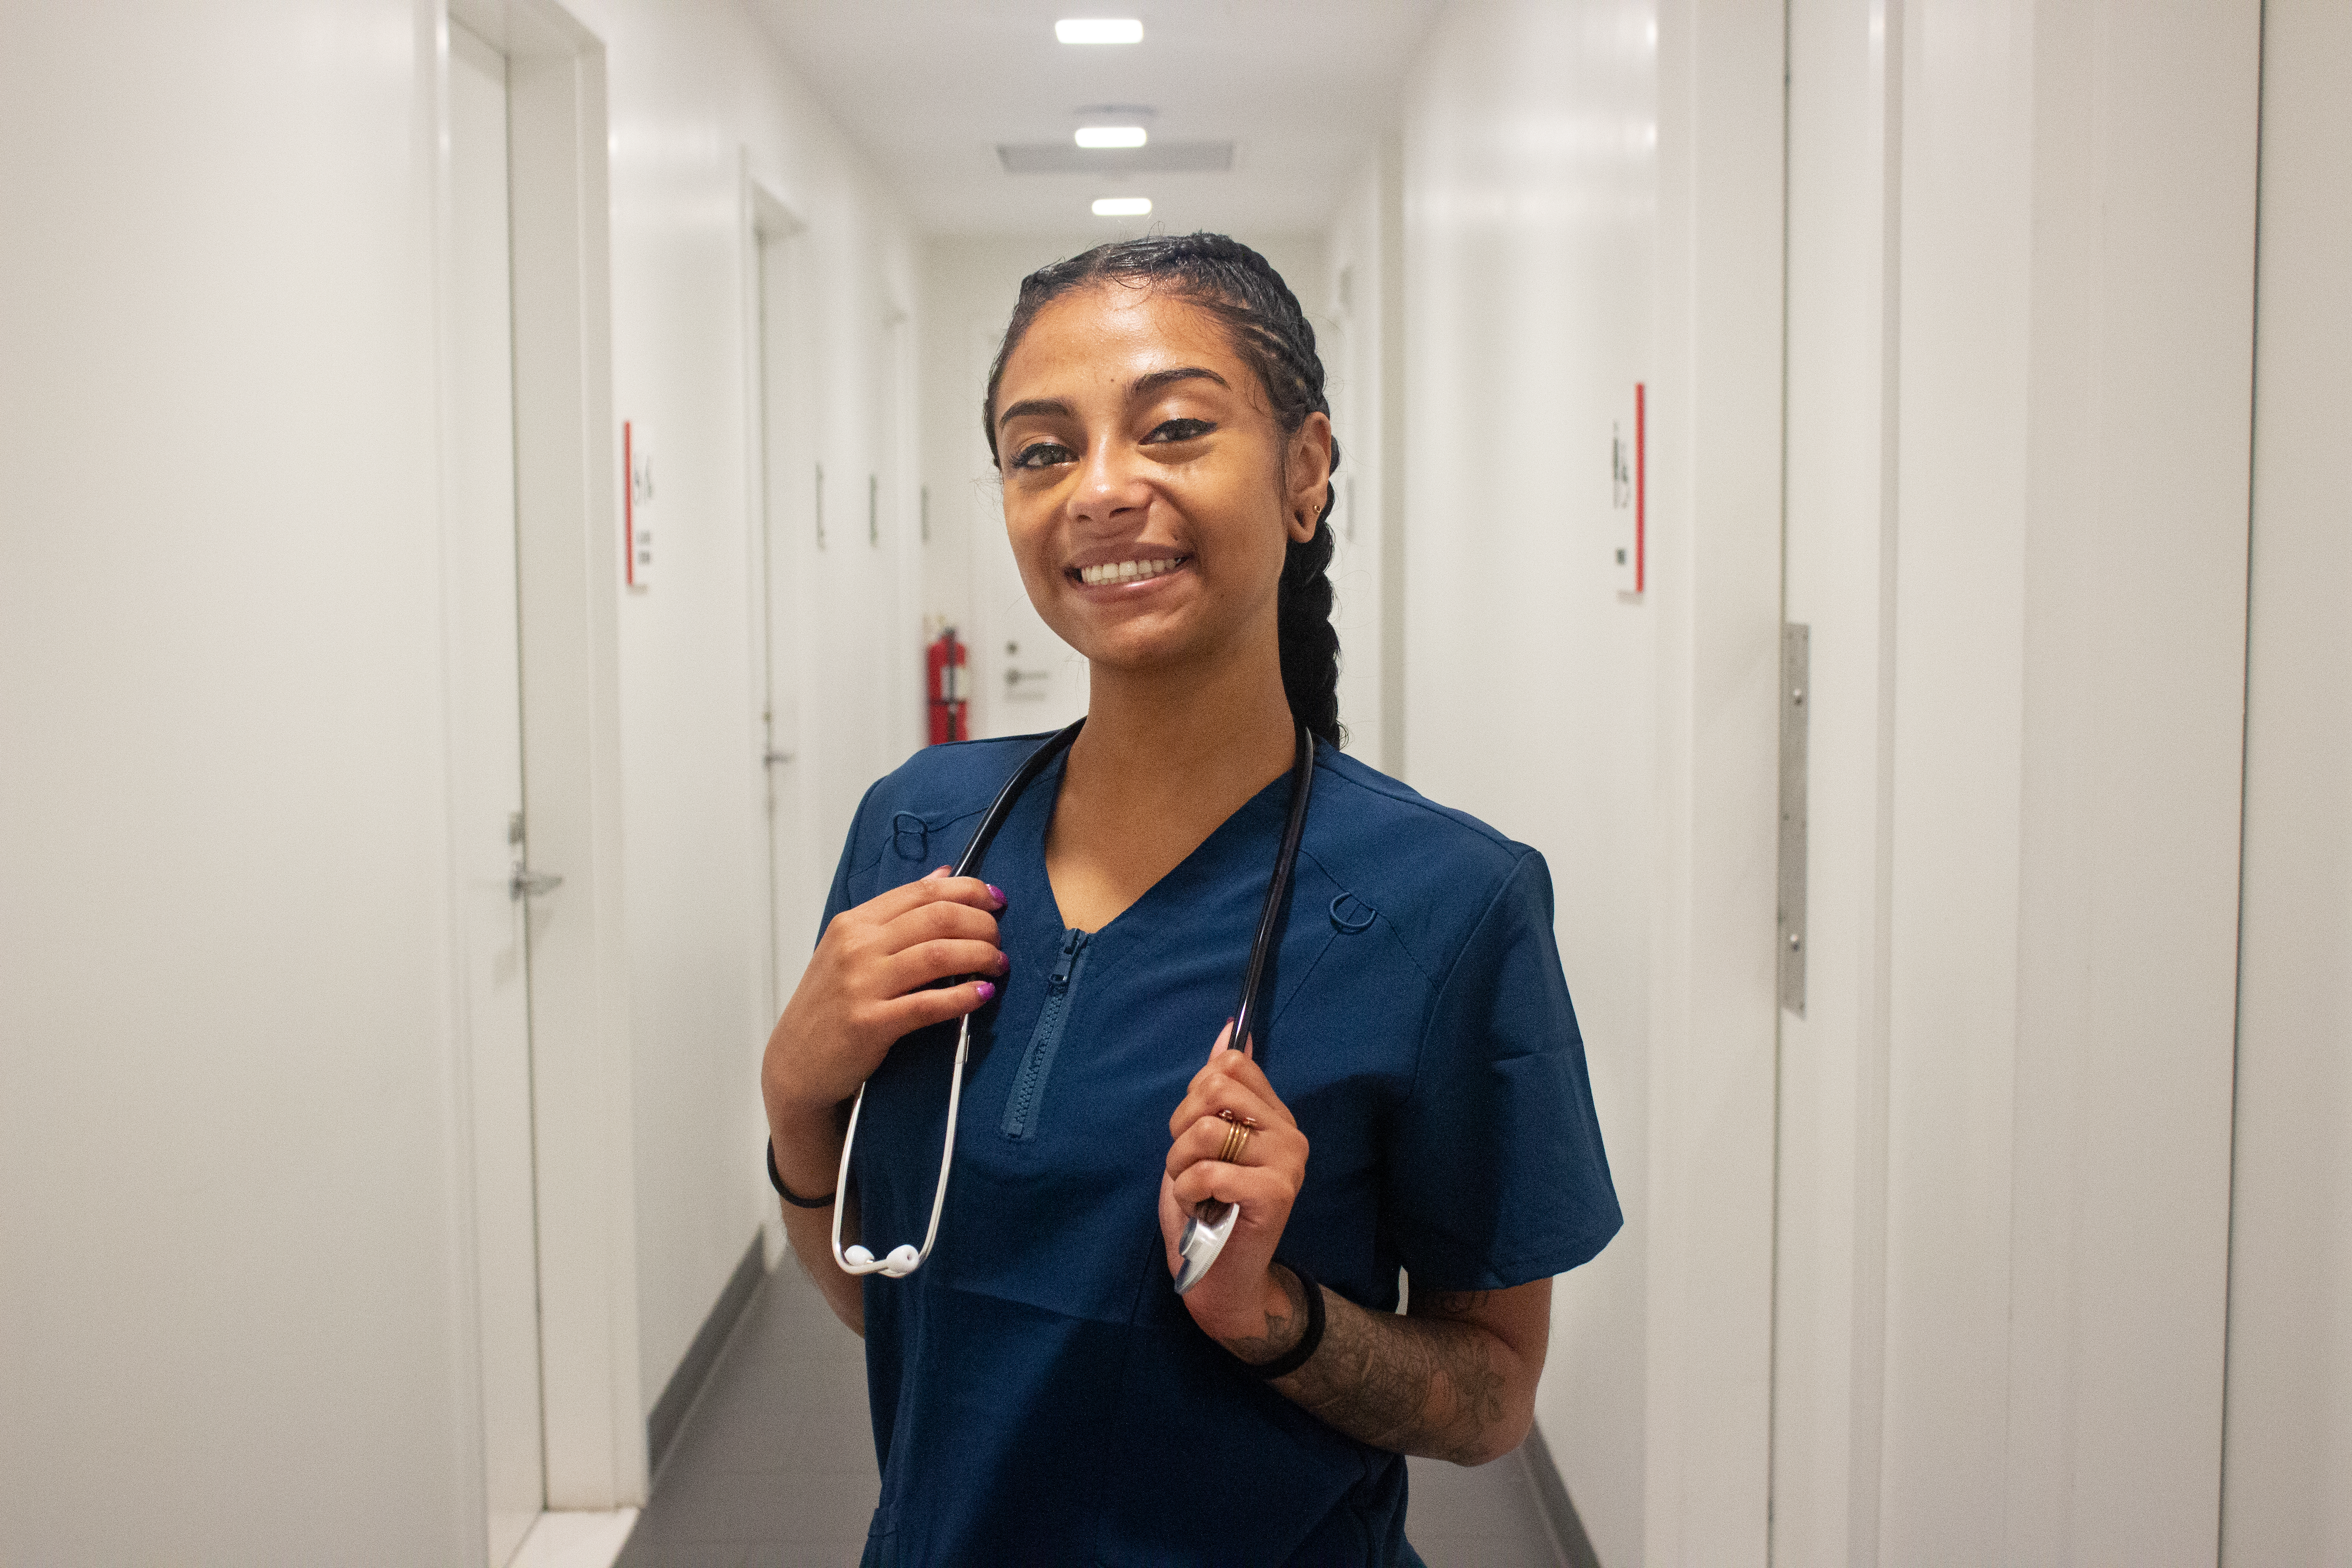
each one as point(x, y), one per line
point(232, 1264)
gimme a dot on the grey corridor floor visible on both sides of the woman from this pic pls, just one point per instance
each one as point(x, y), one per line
point(775, 1463)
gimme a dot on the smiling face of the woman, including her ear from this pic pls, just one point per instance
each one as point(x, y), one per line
point(1149, 490)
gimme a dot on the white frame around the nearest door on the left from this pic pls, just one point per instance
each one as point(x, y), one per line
point(568, 603)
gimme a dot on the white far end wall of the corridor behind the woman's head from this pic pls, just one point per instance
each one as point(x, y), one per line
point(968, 570)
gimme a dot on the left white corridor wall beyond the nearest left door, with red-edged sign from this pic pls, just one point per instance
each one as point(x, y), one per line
point(700, 100)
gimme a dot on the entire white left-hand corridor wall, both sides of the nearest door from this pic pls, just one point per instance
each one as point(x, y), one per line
point(236, 1268)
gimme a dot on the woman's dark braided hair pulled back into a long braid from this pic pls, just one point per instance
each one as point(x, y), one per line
point(1276, 340)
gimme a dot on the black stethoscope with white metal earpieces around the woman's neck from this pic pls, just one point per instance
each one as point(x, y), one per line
point(1212, 1224)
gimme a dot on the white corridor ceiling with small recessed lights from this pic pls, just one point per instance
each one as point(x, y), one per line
point(933, 88)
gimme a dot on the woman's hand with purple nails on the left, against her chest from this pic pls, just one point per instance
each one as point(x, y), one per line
point(871, 981)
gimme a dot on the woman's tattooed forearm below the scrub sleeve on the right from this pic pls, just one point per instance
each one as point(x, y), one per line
point(1426, 1383)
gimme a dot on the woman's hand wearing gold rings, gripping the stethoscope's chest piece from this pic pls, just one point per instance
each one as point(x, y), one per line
point(1241, 1294)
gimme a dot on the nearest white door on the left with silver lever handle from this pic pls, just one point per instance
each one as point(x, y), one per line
point(488, 798)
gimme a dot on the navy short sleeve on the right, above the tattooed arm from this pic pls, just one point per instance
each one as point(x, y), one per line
point(1497, 1172)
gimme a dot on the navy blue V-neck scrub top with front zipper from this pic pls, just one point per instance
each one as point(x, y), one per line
point(1038, 1391)
